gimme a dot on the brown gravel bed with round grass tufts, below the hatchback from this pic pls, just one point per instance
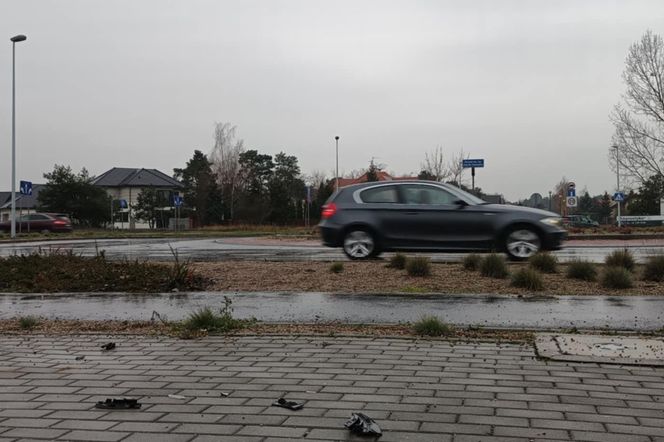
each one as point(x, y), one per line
point(375, 277)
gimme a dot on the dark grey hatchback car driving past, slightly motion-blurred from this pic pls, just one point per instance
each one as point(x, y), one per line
point(369, 218)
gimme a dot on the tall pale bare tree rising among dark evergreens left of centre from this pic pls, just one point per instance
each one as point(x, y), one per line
point(225, 158)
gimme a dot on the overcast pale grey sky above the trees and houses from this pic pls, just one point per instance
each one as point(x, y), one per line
point(526, 85)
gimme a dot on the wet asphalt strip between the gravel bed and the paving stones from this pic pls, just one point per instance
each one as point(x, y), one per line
point(586, 312)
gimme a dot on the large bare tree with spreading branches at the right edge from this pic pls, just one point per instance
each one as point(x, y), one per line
point(639, 122)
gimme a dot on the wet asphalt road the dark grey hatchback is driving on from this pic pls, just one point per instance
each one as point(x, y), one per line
point(260, 249)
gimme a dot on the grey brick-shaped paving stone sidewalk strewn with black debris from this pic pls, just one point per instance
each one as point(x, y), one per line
point(417, 390)
